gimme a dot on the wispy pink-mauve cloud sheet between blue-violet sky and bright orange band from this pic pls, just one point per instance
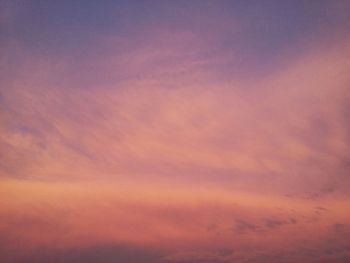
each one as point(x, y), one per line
point(176, 119)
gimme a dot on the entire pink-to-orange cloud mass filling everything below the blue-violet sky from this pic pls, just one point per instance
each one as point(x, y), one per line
point(170, 157)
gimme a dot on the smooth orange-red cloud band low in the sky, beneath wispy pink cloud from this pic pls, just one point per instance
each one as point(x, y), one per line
point(167, 219)
